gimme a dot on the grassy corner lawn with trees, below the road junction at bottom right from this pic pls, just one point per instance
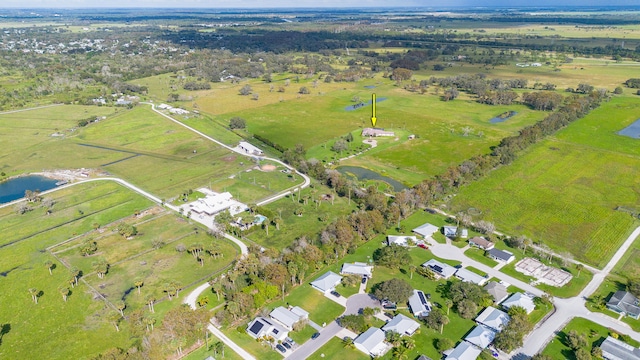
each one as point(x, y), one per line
point(596, 334)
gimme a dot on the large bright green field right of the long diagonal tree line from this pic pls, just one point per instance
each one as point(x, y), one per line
point(579, 187)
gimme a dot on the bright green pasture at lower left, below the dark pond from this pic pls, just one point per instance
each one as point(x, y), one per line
point(25, 238)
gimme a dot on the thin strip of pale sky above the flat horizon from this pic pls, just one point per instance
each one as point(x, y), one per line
point(301, 3)
